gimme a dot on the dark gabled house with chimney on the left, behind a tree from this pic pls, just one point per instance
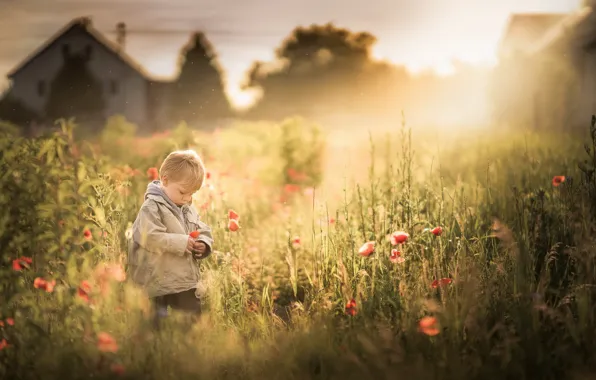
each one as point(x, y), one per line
point(127, 89)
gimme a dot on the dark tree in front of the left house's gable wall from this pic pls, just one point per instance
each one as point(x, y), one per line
point(74, 91)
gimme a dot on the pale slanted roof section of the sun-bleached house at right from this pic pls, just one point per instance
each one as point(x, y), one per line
point(524, 29)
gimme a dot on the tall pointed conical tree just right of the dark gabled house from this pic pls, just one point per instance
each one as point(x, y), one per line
point(198, 93)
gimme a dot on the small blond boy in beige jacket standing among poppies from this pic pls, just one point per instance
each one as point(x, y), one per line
point(162, 255)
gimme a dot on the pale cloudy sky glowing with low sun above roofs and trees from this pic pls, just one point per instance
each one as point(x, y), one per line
point(421, 34)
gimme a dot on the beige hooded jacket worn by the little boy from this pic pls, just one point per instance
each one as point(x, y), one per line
point(156, 259)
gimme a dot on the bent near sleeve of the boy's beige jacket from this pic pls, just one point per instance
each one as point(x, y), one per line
point(149, 232)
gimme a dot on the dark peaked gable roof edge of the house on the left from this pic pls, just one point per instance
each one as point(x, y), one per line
point(84, 24)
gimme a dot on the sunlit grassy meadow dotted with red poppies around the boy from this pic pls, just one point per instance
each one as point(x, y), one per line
point(395, 254)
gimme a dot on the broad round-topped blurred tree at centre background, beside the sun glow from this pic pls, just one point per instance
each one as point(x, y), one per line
point(326, 66)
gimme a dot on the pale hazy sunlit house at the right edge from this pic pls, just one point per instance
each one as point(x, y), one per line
point(554, 56)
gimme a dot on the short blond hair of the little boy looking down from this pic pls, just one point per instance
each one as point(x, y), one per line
point(184, 166)
